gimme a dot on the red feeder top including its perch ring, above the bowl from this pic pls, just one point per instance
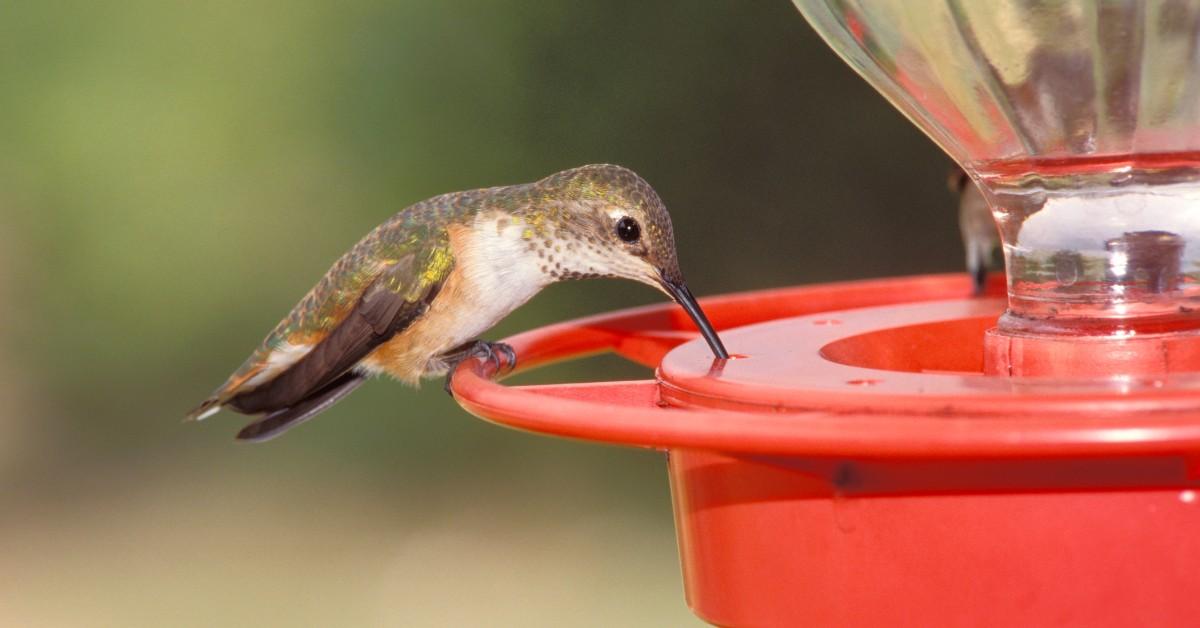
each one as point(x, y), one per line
point(884, 381)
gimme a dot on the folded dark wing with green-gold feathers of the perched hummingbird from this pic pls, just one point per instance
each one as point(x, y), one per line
point(374, 292)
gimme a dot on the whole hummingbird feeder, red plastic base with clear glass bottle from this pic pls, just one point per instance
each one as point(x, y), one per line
point(895, 453)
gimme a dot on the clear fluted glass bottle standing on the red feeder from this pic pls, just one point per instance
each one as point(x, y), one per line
point(1082, 122)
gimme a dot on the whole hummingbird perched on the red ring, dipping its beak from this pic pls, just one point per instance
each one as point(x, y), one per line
point(412, 297)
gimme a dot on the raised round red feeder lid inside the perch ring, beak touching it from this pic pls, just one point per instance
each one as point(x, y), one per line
point(922, 358)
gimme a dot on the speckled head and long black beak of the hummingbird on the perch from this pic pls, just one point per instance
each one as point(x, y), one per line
point(607, 222)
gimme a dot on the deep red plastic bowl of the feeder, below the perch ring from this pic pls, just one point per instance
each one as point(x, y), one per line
point(778, 543)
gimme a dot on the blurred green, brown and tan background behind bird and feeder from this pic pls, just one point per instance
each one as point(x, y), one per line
point(175, 176)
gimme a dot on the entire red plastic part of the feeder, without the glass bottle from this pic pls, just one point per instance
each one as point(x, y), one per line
point(857, 468)
